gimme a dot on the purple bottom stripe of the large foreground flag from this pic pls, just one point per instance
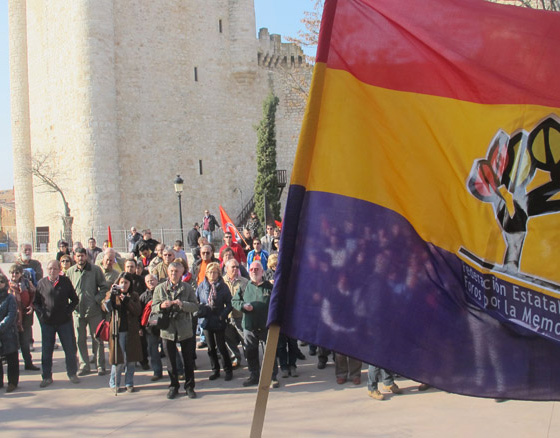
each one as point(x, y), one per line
point(356, 278)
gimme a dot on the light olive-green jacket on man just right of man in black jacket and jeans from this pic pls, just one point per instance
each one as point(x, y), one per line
point(91, 288)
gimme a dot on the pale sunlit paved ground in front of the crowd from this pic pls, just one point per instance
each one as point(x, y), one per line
point(308, 406)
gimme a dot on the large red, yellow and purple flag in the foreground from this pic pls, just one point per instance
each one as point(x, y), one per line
point(422, 225)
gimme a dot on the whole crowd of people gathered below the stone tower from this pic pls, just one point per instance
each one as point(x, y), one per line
point(151, 304)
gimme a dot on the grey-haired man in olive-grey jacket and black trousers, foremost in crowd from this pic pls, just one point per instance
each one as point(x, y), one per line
point(178, 300)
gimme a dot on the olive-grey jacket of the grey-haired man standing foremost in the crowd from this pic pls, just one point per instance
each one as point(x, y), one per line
point(180, 326)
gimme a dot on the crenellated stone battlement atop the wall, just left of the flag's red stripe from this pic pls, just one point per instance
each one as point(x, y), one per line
point(272, 52)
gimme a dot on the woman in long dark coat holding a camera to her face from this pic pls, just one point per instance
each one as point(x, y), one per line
point(124, 305)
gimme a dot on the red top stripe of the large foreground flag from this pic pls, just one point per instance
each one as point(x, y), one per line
point(469, 50)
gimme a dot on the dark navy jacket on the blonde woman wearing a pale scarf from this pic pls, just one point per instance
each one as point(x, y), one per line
point(216, 317)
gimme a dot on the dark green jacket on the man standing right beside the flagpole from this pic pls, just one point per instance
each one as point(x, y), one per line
point(259, 298)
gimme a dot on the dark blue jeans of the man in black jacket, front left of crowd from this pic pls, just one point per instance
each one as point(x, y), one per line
point(67, 339)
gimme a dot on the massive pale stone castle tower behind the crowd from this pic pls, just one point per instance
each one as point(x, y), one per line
point(123, 95)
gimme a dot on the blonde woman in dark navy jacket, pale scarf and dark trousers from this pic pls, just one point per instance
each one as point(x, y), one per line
point(215, 305)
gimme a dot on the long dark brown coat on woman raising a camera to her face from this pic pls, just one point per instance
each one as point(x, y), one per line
point(133, 345)
